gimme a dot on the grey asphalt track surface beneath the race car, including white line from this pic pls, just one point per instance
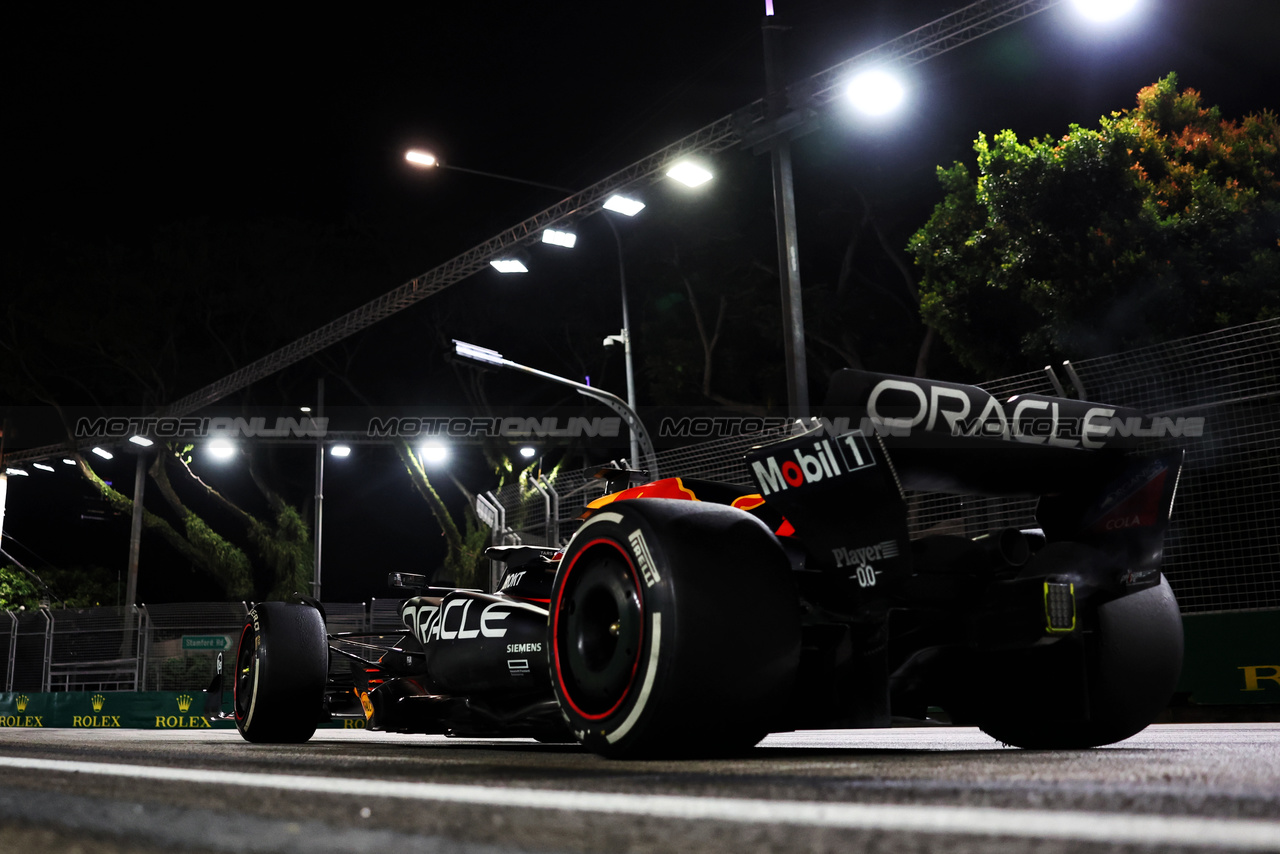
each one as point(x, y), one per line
point(1173, 788)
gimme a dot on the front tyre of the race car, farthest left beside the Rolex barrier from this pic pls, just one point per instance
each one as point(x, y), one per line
point(282, 668)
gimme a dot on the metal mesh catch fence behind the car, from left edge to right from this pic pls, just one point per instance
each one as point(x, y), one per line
point(1223, 552)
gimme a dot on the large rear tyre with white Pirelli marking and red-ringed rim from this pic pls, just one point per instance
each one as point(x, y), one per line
point(674, 631)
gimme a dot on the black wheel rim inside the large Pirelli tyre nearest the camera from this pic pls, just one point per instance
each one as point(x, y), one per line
point(600, 631)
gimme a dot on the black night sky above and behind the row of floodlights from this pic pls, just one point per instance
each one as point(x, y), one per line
point(122, 122)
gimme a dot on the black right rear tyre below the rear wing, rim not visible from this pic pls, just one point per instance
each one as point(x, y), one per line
point(1131, 657)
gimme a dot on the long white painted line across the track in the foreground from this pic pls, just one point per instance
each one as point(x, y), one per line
point(986, 821)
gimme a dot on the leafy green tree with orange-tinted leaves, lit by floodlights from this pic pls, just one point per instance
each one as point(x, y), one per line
point(1159, 223)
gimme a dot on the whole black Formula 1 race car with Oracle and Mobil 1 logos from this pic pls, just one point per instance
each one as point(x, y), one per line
point(692, 618)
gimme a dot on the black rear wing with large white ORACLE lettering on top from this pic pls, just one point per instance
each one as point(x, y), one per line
point(1085, 462)
